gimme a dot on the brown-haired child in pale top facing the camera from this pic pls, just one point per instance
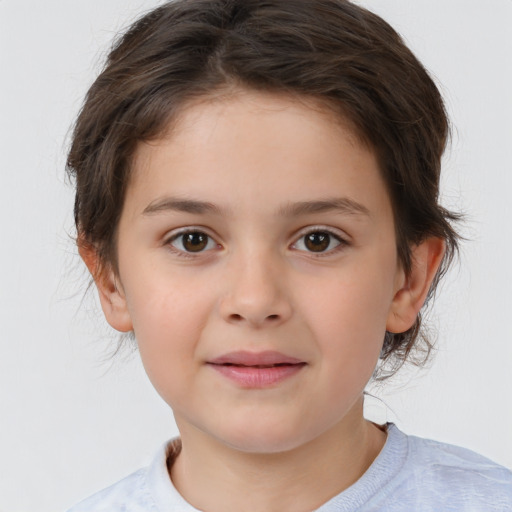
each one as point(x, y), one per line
point(257, 202)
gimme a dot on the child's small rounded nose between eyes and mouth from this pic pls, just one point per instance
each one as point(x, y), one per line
point(256, 293)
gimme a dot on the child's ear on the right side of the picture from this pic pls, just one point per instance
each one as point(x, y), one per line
point(410, 297)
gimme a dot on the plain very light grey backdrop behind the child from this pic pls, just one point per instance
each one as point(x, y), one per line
point(72, 421)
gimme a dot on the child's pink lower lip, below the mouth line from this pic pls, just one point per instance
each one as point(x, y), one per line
point(257, 378)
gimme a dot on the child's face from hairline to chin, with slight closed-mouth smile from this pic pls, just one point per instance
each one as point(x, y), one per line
point(290, 259)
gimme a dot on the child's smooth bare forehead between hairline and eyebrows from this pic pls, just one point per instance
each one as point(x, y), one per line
point(259, 145)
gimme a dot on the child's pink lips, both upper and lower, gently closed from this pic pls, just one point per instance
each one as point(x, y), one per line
point(256, 370)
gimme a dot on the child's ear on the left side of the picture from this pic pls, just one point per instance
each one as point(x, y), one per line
point(110, 291)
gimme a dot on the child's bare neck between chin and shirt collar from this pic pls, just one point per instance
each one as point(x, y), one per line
point(215, 477)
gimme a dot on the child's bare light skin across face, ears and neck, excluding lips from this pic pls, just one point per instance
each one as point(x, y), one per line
point(257, 286)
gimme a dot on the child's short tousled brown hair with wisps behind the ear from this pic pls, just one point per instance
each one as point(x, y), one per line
point(331, 50)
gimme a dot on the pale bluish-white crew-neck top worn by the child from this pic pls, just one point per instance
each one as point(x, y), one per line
point(409, 475)
